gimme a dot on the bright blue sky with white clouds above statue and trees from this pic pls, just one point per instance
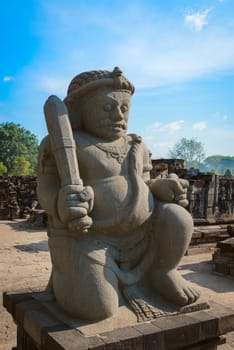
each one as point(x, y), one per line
point(179, 54)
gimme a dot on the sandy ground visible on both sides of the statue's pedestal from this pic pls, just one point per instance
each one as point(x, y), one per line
point(25, 263)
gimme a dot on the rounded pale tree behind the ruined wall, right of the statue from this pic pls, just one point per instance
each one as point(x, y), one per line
point(191, 150)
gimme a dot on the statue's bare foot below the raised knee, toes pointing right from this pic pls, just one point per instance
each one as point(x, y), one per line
point(172, 286)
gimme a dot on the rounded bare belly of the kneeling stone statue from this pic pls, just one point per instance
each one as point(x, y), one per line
point(119, 205)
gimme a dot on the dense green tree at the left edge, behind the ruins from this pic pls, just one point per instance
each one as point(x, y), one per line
point(15, 141)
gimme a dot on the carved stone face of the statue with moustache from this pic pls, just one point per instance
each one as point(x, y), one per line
point(105, 113)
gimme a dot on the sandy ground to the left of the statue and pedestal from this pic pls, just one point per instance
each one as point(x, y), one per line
point(24, 263)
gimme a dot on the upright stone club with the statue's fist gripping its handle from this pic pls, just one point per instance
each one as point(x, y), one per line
point(75, 201)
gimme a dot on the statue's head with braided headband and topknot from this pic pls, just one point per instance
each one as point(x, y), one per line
point(99, 101)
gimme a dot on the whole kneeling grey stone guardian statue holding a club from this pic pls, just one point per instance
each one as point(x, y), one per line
point(111, 228)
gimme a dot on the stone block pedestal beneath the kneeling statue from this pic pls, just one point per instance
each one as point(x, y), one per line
point(38, 329)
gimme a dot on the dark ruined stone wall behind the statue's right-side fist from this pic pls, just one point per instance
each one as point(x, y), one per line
point(211, 197)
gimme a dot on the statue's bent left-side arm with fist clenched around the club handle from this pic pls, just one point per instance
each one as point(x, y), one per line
point(68, 205)
